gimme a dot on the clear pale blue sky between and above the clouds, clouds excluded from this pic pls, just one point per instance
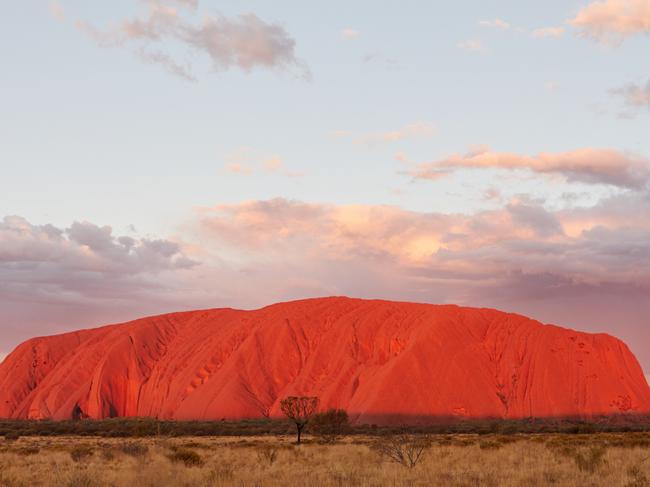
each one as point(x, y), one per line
point(101, 136)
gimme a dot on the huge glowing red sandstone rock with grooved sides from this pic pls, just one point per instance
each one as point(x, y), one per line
point(382, 361)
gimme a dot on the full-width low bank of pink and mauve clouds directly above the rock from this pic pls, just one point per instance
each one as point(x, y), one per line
point(576, 266)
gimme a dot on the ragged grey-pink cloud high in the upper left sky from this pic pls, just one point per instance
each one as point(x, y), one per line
point(244, 42)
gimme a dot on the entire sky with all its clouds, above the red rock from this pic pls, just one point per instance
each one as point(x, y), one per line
point(159, 155)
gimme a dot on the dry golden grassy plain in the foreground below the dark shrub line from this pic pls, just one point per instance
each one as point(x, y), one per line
point(608, 459)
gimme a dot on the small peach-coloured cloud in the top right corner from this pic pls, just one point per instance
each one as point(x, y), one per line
point(611, 21)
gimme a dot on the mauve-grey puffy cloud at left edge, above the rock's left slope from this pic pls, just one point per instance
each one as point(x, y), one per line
point(49, 258)
